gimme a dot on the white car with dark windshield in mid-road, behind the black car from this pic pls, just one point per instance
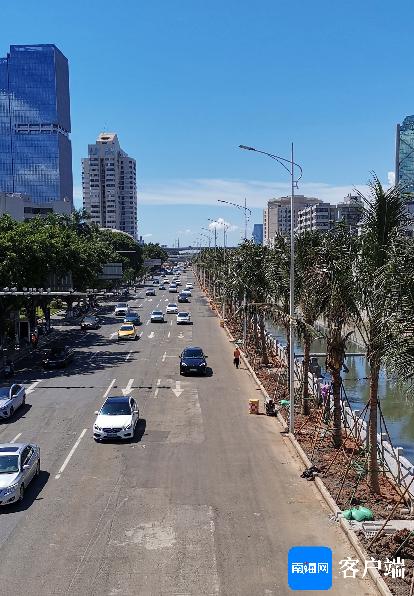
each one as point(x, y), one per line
point(116, 419)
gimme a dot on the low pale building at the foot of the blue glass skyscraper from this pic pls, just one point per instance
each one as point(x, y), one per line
point(21, 207)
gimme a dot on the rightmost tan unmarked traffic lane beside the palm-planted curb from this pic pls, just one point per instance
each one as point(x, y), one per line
point(261, 504)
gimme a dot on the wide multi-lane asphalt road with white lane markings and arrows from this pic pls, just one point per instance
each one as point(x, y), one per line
point(206, 499)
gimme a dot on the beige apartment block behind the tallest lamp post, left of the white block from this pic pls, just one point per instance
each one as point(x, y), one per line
point(276, 216)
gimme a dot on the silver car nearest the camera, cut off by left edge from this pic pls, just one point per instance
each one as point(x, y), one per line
point(19, 464)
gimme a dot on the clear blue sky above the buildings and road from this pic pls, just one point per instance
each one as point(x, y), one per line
point(184, 82)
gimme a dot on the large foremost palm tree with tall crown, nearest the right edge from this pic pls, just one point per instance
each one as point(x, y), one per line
point(384, 218)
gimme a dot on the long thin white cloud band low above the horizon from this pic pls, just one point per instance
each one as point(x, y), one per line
point(207, 191)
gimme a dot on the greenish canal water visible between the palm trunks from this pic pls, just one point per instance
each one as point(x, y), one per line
point(397, 402)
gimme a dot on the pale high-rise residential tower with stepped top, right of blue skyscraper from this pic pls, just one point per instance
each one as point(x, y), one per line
point(109, 185)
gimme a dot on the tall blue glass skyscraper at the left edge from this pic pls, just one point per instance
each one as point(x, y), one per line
point(35, 149)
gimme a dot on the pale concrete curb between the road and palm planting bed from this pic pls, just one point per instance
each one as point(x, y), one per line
point(349, 533)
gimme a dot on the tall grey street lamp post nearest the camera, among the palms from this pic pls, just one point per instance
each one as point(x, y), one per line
point(294, 182)
